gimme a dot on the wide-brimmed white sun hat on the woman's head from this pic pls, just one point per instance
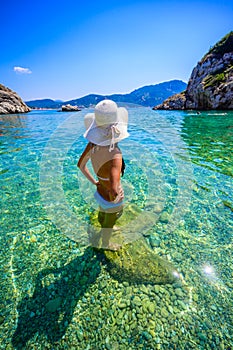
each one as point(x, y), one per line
point(107, 125)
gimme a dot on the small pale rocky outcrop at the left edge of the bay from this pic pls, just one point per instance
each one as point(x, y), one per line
point(10, 102)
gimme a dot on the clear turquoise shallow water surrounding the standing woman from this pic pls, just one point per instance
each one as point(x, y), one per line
point(55, 293)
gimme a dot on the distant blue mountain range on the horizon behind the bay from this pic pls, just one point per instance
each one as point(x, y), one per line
point(148, 96)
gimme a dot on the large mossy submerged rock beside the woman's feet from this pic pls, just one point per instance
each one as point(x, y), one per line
point(137, 263)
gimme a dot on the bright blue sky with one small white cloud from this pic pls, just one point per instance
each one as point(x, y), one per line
point(64, 50)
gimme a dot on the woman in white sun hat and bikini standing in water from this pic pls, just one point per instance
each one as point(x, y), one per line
point(104, 129)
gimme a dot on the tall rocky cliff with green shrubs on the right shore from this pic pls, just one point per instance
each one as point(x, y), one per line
point(211, 83)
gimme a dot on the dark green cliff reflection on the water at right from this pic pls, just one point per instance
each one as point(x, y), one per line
point(210, 140)
